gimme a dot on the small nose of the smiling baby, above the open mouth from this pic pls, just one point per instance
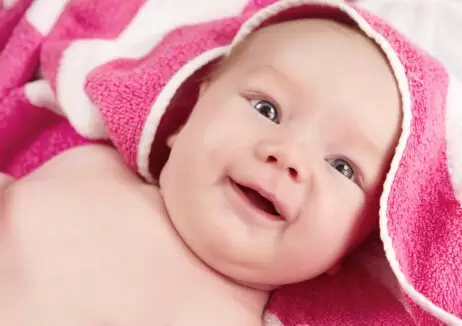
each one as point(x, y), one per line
point(285, 157)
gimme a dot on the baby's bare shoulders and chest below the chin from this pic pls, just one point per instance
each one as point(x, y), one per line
point(83, 242)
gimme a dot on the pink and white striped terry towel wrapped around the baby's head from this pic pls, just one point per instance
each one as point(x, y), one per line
point(127, 71)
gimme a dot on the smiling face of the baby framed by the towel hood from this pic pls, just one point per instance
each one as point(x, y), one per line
point(277, 173)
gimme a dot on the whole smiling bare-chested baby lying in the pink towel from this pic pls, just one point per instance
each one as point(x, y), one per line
point(283, 157)
